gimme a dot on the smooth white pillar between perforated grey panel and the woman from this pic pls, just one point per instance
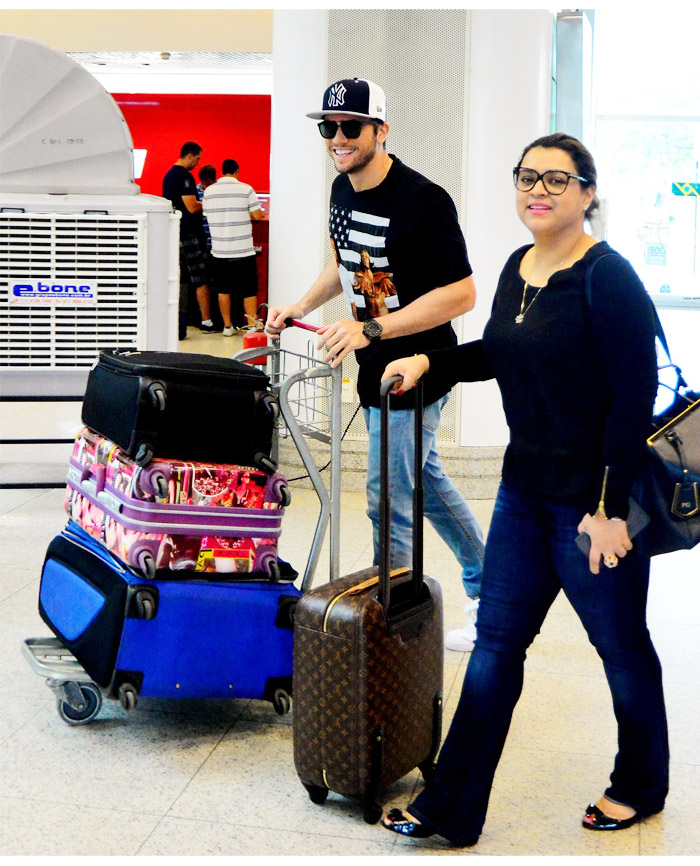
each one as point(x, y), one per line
point(509, 106)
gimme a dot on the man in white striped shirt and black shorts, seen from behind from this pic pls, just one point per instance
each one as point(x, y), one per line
point(229, 206)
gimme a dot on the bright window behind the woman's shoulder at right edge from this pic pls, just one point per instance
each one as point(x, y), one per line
point(647, 145)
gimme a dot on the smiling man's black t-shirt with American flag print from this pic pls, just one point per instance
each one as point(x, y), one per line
point(394, 243)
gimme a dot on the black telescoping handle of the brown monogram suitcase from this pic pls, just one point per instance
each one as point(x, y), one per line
point(384, 595)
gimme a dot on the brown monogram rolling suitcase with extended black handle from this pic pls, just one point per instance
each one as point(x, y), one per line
point(368, 660)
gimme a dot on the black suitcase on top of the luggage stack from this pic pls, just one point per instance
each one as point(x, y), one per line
point(182, 406)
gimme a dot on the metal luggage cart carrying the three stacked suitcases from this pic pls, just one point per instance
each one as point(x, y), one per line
point(309, 393)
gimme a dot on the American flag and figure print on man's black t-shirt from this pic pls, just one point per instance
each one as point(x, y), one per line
point(359, 243)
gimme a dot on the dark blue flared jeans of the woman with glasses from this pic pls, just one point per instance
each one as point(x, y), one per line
point(530, 556)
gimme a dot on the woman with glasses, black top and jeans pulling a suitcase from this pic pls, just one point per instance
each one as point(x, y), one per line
point(571, 343)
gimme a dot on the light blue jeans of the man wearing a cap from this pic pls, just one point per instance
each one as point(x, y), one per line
point(445, 506)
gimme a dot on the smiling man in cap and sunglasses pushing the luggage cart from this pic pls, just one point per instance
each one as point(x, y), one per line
point(401, 261)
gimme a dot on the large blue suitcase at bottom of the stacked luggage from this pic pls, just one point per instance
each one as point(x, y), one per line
point(167, 638)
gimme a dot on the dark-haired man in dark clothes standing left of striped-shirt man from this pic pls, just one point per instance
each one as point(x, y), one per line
point(179, 186)
